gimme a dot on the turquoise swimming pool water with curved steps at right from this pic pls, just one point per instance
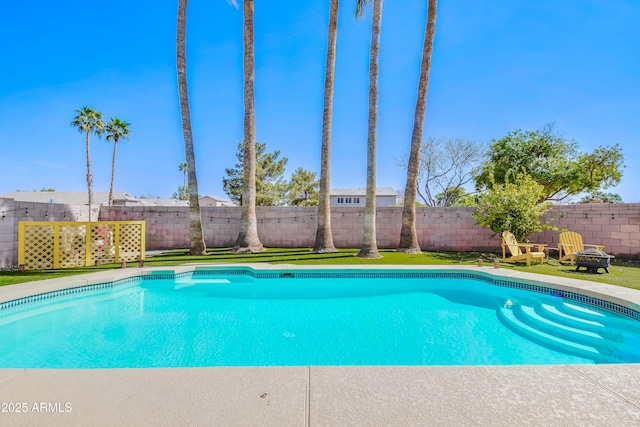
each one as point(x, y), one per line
point(244, 317)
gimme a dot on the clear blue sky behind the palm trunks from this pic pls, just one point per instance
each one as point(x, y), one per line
point(497, 66)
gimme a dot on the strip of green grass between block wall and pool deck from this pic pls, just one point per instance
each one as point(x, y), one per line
point(622, 273)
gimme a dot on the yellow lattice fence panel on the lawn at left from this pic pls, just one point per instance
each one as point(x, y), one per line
point(46, 245)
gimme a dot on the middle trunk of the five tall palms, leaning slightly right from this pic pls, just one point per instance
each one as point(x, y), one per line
point(324, 236)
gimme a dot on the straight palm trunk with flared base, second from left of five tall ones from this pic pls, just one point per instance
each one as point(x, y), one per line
point(248, 240)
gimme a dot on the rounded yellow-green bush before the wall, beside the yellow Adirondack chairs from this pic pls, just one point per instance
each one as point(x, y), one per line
point(512, 206)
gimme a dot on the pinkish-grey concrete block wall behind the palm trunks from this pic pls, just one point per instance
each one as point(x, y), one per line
point(617, 226)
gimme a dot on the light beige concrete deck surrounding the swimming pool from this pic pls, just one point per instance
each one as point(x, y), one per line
point(567, 395)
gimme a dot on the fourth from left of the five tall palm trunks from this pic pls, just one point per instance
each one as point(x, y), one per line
point(369, 245)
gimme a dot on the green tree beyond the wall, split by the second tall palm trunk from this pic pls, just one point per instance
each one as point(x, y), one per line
point(270, 184)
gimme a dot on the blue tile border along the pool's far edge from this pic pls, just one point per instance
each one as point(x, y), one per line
point(207, 272)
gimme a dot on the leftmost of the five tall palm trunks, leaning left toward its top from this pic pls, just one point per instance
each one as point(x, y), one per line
point(196, 236)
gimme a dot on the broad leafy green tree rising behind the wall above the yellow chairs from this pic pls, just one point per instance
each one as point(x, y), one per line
point(553, 161)
